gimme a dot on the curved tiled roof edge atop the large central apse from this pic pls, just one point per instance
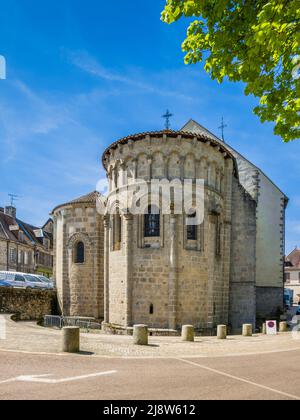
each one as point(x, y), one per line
point(204, 136)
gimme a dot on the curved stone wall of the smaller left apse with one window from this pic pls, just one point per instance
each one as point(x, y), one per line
point(80, 286)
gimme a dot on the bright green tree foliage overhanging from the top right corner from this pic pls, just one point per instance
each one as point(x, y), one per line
point(253, 41)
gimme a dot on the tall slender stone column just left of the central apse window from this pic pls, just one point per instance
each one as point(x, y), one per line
point(128, 220)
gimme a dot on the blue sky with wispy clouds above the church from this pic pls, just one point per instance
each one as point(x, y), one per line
point(81, 74)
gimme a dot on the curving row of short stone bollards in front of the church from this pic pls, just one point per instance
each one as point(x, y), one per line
point(71, 335)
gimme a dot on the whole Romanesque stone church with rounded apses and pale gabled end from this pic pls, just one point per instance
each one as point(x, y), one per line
point(157, 269)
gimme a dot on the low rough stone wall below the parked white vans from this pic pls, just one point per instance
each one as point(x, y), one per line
point(28, 305)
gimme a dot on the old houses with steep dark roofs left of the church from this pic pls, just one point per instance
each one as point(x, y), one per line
point(23, 247)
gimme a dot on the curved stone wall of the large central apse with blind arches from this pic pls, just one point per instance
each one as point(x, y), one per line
point(166, 282)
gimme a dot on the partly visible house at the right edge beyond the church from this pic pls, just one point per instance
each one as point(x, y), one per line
point(292, 273)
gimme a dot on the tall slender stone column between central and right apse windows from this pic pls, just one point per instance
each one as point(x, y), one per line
point(173, 274)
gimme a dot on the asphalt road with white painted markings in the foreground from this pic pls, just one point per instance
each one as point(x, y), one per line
point(265, 377)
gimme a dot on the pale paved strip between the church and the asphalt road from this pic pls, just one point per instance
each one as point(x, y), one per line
point(28, 337)
